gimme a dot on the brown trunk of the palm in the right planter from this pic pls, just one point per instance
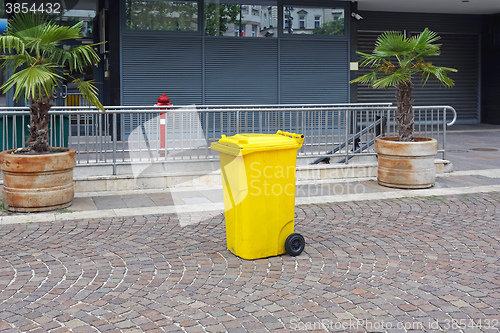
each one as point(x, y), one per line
point(405, 117)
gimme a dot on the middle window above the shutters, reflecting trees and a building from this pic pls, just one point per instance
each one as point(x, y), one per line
point(227, 18)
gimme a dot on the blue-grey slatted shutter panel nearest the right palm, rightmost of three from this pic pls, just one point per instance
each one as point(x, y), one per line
point(313, 71)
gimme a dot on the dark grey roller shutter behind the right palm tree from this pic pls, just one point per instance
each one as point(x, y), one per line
point(460, 51)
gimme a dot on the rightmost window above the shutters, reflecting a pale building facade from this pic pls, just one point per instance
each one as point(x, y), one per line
point(313, 20)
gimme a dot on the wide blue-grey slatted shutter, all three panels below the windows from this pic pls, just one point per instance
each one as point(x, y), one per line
point(207, 70)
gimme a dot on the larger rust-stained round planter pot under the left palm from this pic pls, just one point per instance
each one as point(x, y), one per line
point(38, 182)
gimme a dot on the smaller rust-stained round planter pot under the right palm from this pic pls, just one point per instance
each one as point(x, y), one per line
point(406, 164)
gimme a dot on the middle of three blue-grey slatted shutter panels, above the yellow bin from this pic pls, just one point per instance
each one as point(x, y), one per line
point(241, 71)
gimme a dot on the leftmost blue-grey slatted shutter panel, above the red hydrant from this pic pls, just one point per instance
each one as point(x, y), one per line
point(156, 64)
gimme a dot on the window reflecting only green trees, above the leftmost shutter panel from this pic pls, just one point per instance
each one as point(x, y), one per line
point(162, 15)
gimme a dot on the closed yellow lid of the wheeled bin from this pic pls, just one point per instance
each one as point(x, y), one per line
point(241, 144)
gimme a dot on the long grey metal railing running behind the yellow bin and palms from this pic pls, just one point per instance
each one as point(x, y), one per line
point(141, 134)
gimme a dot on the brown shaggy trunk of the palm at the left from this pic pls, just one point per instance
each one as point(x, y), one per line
point(39, 123)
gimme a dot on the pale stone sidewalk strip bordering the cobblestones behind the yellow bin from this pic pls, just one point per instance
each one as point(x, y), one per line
point(192, 199)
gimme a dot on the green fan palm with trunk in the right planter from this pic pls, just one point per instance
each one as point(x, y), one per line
point(395, 61)
